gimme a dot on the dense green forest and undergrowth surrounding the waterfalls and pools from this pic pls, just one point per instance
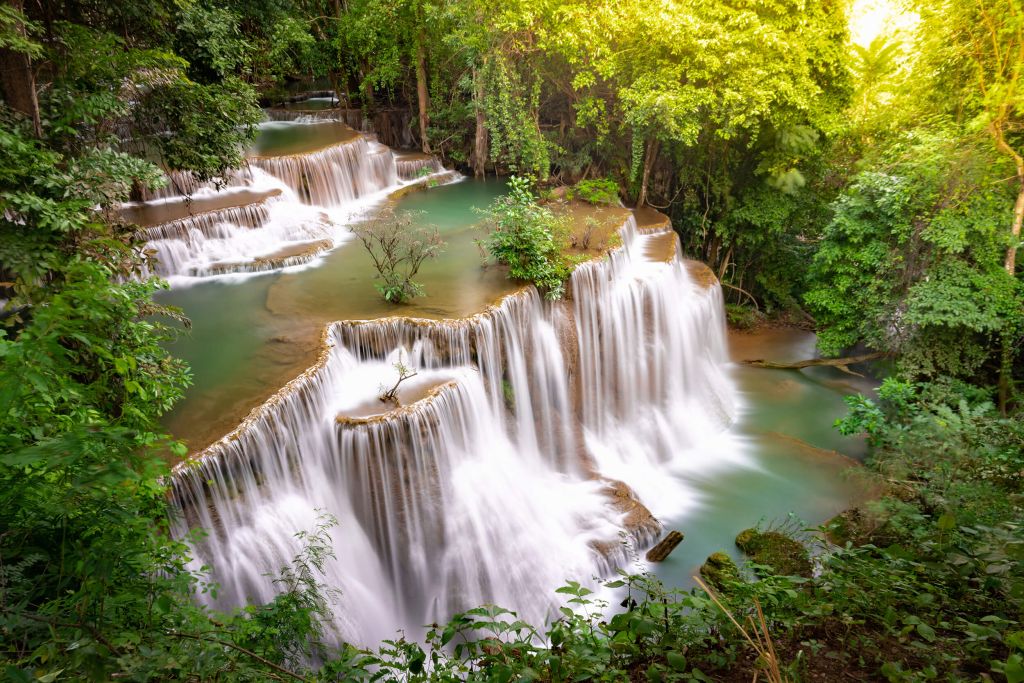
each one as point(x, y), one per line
point(876, 193)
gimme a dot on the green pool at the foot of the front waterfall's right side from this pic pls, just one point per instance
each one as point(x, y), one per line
point(794, 466)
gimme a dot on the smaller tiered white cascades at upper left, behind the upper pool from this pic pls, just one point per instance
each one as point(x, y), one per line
point(320, 194)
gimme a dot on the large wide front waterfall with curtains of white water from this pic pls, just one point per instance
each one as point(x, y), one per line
point(510, 466)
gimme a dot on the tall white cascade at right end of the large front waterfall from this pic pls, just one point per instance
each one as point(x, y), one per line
point(652, 356)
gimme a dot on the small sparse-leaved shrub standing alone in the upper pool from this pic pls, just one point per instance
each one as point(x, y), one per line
point(399, 246)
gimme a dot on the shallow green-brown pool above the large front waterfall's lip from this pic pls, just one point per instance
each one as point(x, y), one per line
point(249, 338)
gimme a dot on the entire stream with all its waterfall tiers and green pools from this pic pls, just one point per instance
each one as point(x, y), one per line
point(540, 443)
